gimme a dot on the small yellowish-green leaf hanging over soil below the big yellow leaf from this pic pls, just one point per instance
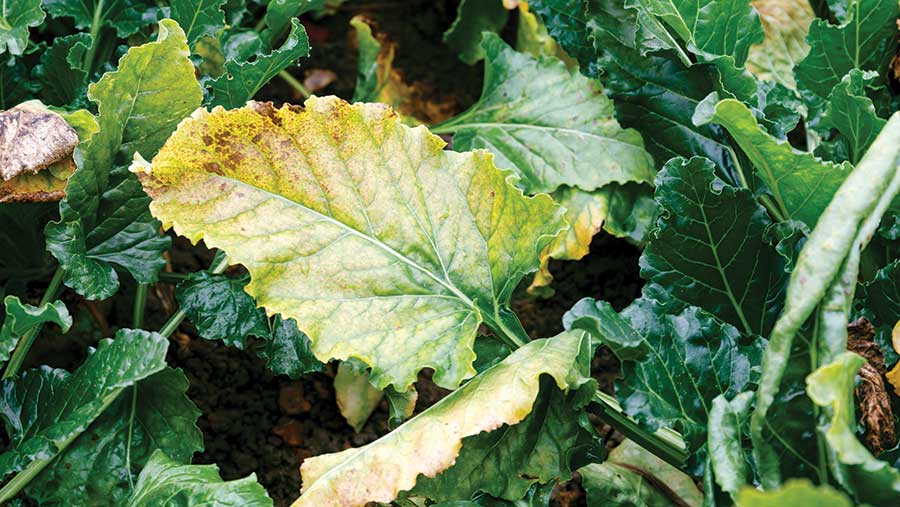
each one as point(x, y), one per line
point(355, 396)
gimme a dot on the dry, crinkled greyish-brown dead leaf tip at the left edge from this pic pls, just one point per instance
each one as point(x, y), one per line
point(33, 138)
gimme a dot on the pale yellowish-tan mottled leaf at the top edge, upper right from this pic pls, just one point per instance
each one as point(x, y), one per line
point(786, 23)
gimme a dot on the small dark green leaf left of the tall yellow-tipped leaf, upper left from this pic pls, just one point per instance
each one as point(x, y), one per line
point(61, 74)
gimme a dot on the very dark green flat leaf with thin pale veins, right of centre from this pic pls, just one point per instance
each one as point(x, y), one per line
point(709, 250)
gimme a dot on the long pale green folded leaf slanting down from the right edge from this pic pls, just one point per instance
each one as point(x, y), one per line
point(840, 234)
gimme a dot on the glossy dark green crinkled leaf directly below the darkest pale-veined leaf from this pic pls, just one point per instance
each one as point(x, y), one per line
point(690, 359)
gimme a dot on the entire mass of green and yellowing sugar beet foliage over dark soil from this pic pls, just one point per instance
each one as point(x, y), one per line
point(749, 149)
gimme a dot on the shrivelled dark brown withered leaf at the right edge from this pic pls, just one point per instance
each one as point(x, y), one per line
point(874, 403)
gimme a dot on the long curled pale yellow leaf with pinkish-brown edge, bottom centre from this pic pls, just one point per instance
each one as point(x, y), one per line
point(503, 395)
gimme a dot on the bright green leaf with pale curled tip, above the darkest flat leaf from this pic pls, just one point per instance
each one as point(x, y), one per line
point(801, 184)
